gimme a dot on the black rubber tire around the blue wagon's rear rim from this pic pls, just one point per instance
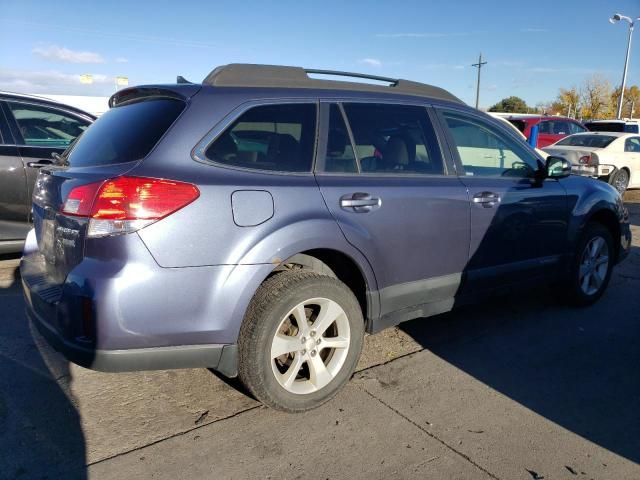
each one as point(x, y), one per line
point(271, 303)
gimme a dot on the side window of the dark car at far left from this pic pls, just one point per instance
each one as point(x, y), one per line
point(46, 127)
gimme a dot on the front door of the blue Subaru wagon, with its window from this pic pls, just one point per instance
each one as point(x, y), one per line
point(518, 221)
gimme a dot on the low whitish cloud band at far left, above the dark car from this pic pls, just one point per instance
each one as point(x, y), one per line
point(51, 81)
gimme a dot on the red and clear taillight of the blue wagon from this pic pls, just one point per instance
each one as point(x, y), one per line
point(126, 204)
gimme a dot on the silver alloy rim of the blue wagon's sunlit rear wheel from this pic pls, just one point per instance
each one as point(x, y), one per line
point(310, 345)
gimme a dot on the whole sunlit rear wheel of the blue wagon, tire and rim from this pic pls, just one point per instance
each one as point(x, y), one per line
point(300, 340)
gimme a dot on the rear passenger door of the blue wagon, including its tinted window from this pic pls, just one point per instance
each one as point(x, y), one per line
point(385, 180)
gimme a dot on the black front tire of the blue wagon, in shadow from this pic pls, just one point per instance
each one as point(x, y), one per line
point(578, 296)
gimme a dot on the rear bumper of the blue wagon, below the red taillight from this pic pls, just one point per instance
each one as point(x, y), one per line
point(118, 310)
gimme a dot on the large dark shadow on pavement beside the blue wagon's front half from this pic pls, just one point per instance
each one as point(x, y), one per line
point(576, 367)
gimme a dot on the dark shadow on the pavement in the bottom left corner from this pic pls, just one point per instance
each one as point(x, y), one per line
point(40, 432)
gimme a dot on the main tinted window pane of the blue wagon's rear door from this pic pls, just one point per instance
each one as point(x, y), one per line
point(394, 139)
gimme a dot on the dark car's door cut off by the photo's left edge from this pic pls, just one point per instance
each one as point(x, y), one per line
point(13, 191)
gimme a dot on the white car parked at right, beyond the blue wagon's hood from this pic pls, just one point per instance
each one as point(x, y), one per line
point(610, 156)
